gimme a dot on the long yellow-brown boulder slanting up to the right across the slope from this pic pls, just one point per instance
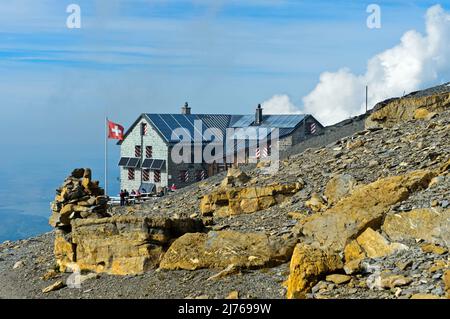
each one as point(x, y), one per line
point(365, 207)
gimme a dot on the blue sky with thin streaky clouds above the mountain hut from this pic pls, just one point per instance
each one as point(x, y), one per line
point(133, 56)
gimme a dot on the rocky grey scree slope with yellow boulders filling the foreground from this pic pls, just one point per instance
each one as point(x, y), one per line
point(367, 216)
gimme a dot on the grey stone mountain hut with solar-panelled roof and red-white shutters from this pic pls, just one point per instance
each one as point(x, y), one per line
point(146, 151)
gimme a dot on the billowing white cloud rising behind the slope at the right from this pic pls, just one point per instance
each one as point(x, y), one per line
point(418, 60)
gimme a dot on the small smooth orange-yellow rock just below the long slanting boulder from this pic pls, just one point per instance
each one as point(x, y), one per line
point(376, 245)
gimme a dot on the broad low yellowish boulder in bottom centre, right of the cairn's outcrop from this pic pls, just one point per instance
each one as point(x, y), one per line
point(219, 249)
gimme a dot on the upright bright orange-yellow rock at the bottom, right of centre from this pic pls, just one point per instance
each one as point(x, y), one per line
point(307, 266)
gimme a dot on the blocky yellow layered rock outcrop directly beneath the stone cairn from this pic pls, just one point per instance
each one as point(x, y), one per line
point(120, 245)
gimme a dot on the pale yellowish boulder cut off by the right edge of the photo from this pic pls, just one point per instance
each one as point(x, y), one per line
point(426, 224)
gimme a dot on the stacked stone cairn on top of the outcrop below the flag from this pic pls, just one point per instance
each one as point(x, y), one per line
point(78, 197)
